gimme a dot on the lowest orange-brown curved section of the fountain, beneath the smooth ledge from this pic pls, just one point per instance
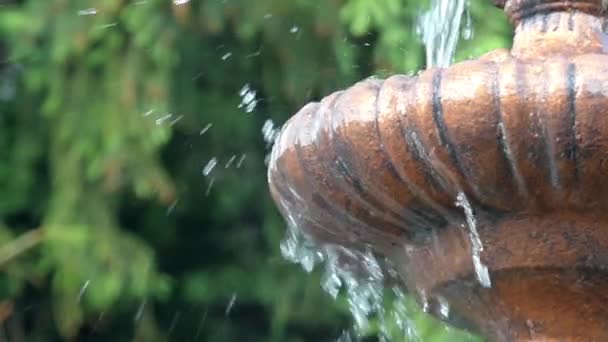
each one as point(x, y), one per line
point(536, 305)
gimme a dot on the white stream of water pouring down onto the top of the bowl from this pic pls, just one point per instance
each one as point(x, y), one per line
point(440, 27)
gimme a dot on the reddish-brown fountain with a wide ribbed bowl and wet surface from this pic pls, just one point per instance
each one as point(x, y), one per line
point(483, 183)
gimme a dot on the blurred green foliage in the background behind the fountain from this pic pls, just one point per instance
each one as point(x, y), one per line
point(133, 203)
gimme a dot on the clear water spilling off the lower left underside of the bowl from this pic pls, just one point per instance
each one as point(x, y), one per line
point(359, 276)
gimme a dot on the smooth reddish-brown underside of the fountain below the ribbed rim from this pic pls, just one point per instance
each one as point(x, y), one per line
point(549, 277)
